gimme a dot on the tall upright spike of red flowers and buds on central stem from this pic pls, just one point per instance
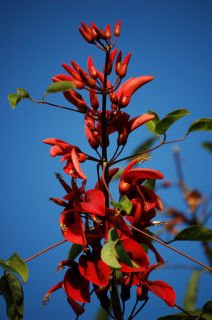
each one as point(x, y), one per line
point(101, 233)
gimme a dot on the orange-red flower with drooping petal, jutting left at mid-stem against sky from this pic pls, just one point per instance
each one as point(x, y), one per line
point(71, 153)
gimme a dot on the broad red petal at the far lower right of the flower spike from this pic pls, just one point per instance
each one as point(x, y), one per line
point(162, 290)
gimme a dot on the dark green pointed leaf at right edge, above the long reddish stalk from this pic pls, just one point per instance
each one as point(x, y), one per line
point(194, 233)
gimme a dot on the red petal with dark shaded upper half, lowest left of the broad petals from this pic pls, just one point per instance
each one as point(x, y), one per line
point(76, 286)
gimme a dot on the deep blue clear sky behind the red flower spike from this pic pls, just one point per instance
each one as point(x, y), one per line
point(168, 39)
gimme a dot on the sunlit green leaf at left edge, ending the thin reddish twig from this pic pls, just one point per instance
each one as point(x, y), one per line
point(17, 265)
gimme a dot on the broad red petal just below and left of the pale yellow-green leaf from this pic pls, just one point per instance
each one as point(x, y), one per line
point(95, 271)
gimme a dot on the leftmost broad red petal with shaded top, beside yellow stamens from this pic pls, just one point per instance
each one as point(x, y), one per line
point(72, 227)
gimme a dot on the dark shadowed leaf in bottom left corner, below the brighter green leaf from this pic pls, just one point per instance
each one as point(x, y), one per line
point(13, 294)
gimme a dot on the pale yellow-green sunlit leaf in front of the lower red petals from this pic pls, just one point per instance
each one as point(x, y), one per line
point(108, 255)
